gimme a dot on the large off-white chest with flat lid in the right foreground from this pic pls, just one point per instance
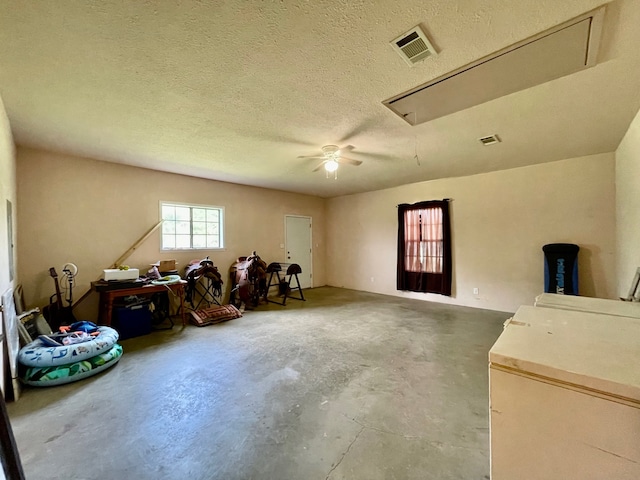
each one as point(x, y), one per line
point(565, 397)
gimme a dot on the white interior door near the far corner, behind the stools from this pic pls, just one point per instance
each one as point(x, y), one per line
point(297, 234)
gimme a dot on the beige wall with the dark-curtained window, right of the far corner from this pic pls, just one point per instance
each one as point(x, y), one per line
point(500, 222)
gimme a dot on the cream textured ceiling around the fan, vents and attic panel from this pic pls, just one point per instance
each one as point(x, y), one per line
point(235, 91)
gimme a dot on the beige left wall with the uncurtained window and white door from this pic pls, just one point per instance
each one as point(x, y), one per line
point(90, 212)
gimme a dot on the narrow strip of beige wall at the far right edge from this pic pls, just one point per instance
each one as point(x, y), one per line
point(628, 207)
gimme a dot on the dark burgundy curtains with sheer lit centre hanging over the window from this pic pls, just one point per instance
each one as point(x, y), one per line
point(424, 247)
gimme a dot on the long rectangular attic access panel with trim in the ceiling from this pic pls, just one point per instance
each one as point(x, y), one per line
point(562, 50)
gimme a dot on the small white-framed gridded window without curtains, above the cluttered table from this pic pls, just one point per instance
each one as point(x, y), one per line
point(191, 227)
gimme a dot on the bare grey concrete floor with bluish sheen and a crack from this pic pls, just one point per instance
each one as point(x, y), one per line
point(348, 385)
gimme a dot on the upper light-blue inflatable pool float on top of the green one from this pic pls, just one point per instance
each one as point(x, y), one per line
point(38, 354)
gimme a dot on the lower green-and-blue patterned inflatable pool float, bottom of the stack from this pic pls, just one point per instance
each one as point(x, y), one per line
point(61, 374)
